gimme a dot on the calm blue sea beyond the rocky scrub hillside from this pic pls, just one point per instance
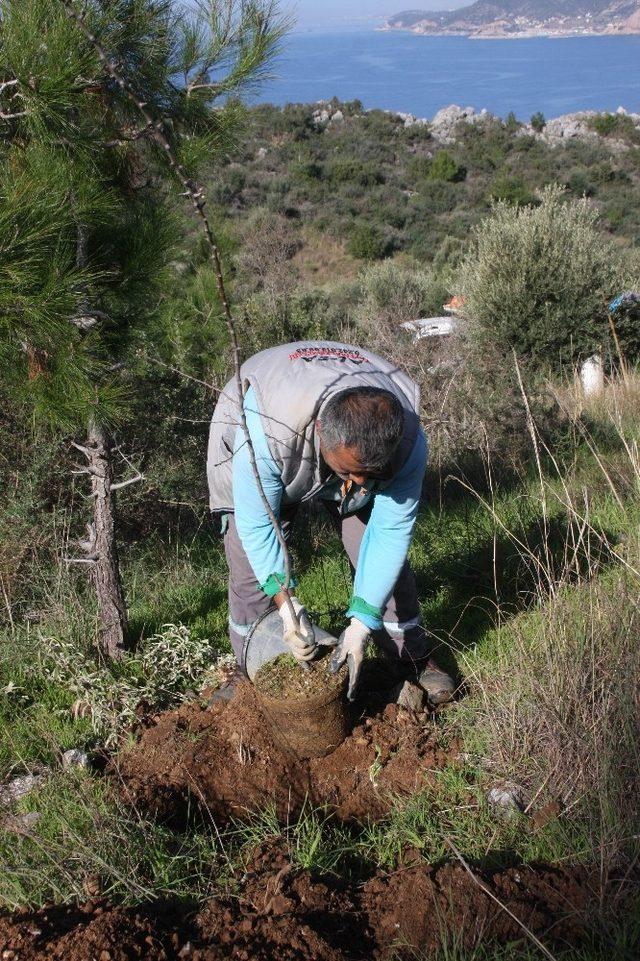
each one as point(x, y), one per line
point(408, 73)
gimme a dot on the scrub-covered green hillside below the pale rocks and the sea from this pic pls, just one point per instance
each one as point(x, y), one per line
point(376, 187)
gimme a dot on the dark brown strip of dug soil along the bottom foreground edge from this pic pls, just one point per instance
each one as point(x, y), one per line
point(288, 914)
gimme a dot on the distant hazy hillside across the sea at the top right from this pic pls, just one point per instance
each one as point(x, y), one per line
point(504, 18)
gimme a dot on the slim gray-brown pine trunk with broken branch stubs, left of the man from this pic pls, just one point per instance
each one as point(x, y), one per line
point(112, 614)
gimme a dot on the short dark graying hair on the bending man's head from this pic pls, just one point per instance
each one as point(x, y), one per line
point(369, 419)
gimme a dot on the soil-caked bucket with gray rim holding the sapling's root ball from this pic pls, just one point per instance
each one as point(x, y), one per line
point(307, 727)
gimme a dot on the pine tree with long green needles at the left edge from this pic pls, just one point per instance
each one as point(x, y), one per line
point(87, 224)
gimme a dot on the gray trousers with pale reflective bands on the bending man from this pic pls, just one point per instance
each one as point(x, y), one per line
point(402, 635)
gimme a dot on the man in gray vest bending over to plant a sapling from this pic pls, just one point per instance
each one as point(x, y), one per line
point(332, 422)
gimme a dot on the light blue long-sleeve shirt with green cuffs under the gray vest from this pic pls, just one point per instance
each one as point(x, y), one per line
point(386, 539)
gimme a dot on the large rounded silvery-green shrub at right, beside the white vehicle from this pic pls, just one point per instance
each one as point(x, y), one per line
point(537, 280)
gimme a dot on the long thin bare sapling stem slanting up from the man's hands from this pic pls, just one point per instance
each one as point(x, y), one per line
point(195, 193)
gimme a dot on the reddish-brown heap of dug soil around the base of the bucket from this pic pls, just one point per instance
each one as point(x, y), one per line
point(225, 758)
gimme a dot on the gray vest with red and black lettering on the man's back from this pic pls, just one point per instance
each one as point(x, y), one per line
point(292, 383)
